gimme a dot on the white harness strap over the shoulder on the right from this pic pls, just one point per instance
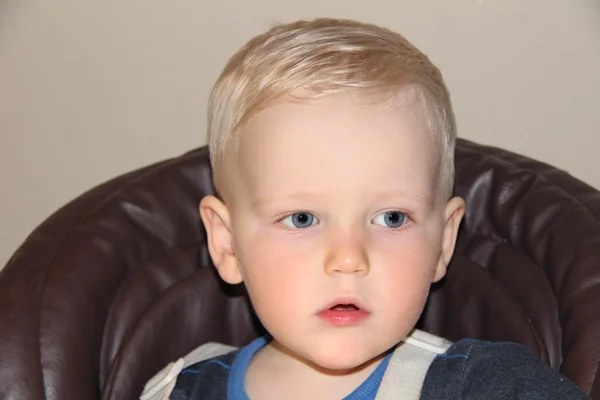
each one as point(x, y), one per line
point(405, 374)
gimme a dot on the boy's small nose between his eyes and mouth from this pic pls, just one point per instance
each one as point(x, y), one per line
point(347, 253)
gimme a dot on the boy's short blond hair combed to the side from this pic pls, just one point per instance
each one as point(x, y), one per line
point(328, 56)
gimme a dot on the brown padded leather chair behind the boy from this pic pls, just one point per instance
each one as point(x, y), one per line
point(118, 282)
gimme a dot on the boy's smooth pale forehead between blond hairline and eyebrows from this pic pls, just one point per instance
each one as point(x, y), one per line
point(336, 146)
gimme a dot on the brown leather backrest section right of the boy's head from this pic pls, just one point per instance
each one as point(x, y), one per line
point(527, 264)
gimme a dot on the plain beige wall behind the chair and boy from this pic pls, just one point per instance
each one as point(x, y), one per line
point(90, 89)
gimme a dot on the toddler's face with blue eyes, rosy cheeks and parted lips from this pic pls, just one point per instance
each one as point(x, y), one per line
point(335, 225)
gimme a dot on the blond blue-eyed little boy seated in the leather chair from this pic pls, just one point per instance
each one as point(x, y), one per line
point(332, 144)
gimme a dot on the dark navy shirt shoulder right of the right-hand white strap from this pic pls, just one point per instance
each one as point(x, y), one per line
point(473, 369)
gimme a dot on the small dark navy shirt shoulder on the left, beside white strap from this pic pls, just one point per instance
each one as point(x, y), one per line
point(205, 380)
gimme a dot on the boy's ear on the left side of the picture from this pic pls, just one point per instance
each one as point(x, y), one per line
point(215, 216)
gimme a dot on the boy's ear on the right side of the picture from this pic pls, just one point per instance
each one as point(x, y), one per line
point(453, 213)
